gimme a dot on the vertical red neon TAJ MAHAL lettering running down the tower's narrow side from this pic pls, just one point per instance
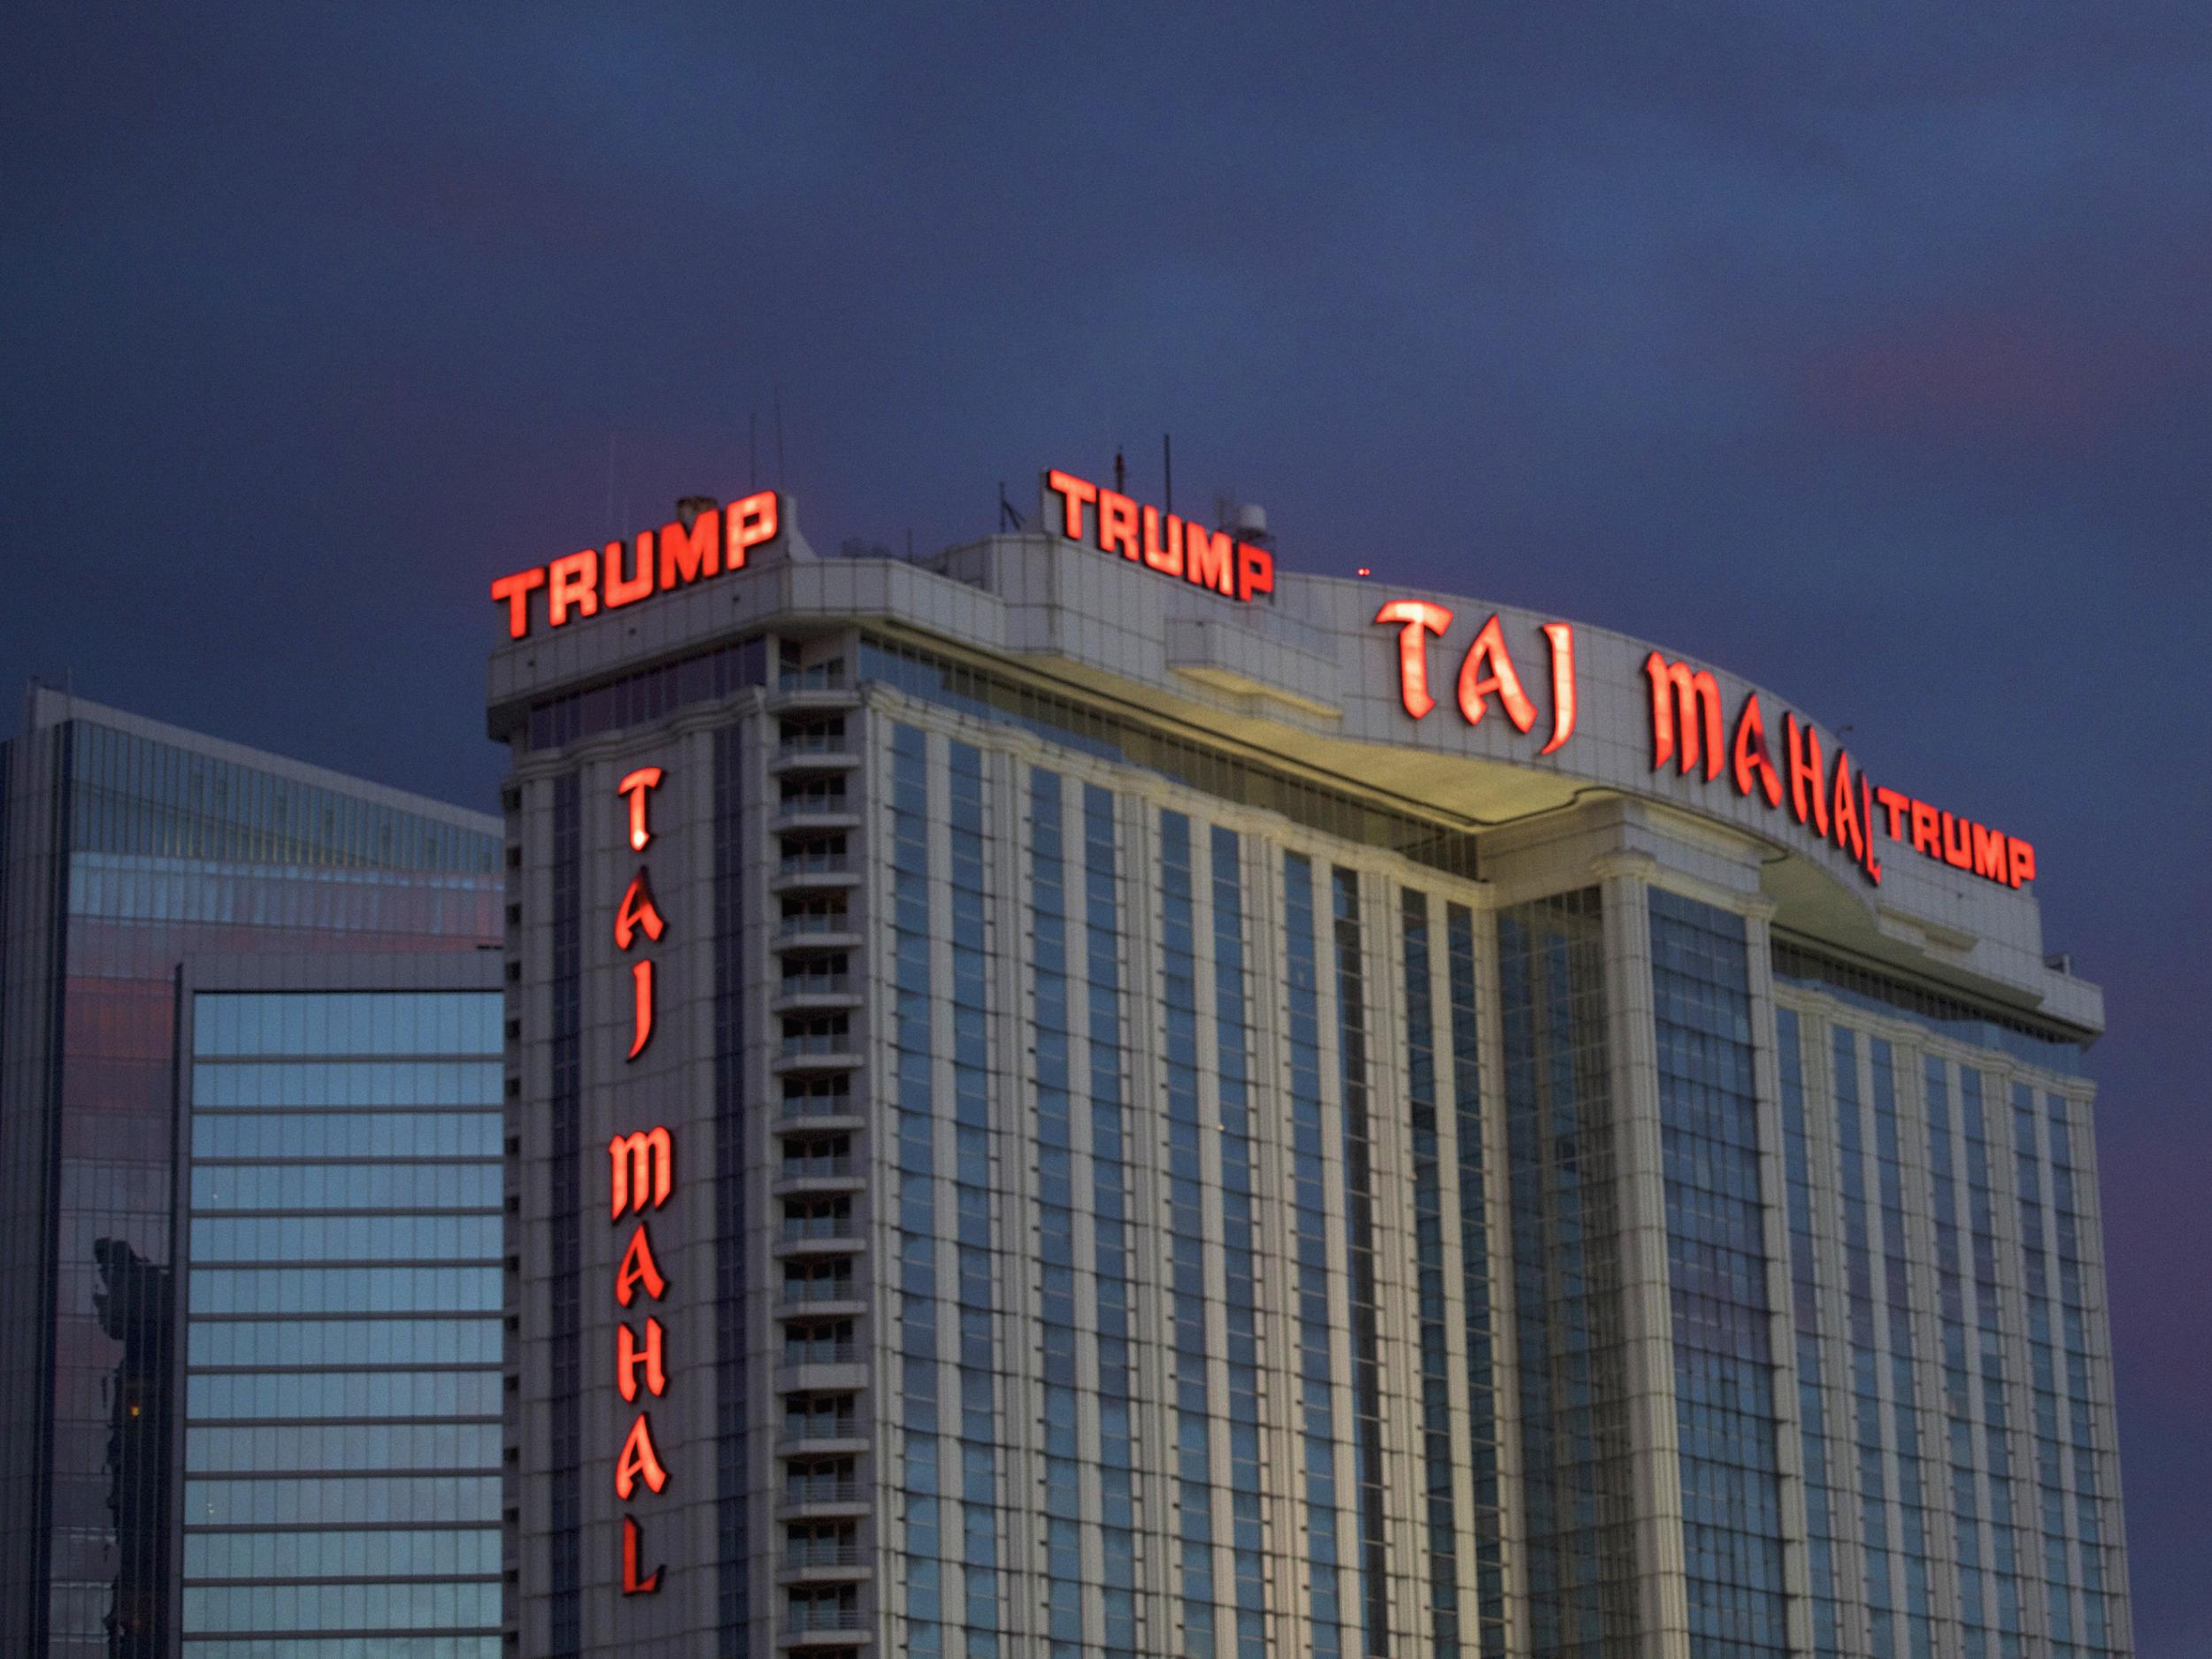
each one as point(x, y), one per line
point(640, 1178)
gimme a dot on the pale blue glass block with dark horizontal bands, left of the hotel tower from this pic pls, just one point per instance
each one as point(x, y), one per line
point(340, 1308)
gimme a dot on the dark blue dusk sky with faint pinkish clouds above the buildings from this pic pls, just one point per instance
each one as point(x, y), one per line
point(1861, 351)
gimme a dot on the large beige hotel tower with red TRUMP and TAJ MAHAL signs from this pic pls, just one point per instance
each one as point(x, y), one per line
point(1092, 1096)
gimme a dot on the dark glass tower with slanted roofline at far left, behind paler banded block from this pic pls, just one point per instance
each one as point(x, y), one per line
point(125, 848)
